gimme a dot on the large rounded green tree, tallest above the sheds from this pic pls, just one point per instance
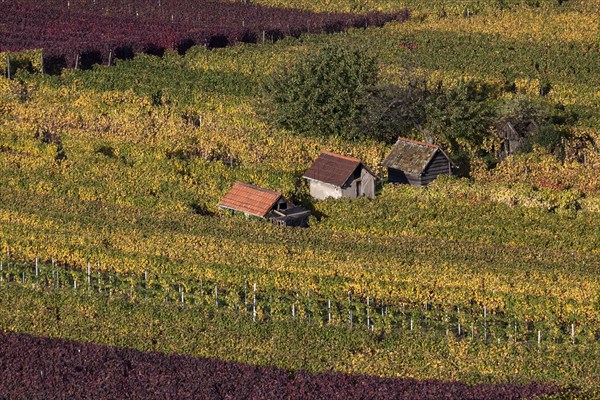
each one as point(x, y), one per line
point(324, 93)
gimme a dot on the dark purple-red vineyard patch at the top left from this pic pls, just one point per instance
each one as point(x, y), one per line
point(81, 33)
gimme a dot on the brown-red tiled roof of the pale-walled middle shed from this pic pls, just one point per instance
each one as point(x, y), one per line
point(332, 168)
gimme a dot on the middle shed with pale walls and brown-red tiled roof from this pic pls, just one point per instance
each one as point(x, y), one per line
point(334, 175)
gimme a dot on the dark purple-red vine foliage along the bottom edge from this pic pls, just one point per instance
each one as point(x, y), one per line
point(39, 368)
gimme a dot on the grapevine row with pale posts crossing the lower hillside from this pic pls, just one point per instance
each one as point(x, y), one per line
point(273, 304)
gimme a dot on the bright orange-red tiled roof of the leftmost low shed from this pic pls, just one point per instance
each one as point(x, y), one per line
point(250, 199)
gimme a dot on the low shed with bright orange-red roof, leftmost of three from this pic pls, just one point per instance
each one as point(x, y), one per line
point(263, 203)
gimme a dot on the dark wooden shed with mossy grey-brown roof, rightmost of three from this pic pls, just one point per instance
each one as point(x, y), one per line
point(416, 163)
